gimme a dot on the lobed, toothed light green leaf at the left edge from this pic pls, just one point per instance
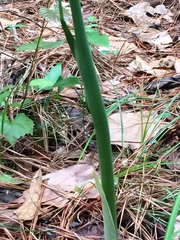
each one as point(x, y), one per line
point(19, 127)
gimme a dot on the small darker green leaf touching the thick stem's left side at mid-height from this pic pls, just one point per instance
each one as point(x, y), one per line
point(67, 82)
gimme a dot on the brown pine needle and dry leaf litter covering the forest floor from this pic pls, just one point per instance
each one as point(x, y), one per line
point(139, 77)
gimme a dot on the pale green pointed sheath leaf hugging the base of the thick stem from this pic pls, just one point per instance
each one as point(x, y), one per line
point(109, 229)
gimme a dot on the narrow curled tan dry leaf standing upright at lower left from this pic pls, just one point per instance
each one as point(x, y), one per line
point(30, 205)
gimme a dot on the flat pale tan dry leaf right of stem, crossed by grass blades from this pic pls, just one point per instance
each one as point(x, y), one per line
point(134, 125)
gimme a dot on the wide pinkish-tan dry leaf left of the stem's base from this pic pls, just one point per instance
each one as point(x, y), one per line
point(62, 184)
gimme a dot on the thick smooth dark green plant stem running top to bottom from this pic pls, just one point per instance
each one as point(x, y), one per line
point(96, 106)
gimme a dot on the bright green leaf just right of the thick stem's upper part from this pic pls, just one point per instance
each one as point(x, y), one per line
point(95, 38)
